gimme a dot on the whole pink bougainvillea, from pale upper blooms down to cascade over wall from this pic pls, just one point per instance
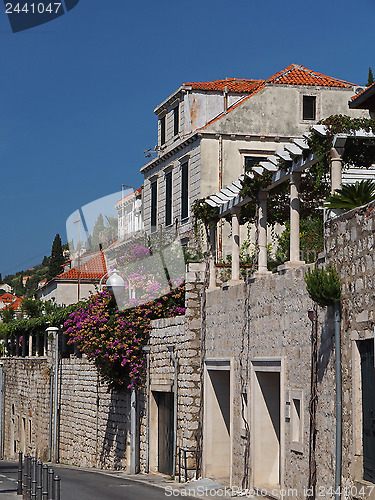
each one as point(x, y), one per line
point(112, 330)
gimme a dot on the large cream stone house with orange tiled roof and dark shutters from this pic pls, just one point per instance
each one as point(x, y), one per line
point(209, 131)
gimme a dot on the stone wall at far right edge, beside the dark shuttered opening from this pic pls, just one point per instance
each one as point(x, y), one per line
point(350, 248)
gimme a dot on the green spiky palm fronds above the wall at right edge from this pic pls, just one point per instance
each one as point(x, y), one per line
point(352, 195)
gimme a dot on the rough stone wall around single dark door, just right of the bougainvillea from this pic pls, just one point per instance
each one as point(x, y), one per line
point(181, 334)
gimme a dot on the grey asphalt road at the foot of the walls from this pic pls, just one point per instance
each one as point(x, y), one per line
point(83, 485)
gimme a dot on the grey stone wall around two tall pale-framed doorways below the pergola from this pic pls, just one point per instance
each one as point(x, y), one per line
point(268, 320)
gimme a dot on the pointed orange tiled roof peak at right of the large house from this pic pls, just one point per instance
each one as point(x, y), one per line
point(299, 75)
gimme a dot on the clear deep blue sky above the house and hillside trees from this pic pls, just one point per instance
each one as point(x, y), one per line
point(78, 93)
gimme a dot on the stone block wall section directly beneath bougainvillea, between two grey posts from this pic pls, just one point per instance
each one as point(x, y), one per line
point(95, 425)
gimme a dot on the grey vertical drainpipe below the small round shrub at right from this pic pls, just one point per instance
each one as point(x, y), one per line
point(337, 323)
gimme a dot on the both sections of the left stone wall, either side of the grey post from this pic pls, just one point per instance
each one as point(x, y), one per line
point(94, 422)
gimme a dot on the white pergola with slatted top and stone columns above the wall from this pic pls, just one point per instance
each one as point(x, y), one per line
point(230, 201)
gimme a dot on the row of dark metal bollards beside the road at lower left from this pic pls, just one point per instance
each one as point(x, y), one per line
point(36, 481)
